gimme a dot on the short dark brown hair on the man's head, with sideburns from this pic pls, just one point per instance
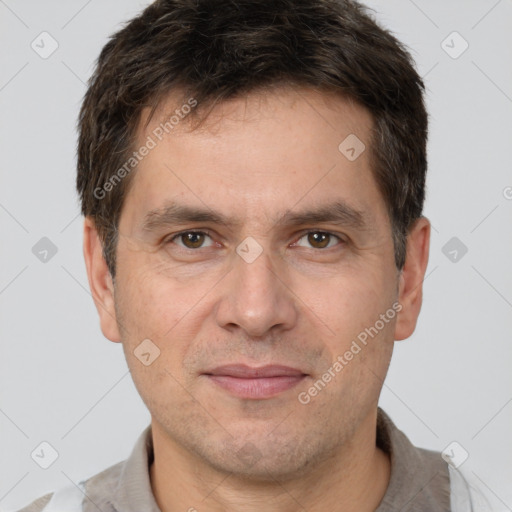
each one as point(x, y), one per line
point(215, 50)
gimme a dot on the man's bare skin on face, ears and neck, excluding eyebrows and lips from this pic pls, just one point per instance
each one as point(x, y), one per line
point(297, 304)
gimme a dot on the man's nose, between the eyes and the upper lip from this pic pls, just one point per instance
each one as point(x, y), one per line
point(256, 298)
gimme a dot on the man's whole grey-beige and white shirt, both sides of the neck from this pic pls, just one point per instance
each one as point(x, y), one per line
point(420, 481)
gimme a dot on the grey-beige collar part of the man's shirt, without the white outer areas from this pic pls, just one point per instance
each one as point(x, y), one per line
point(419, 478)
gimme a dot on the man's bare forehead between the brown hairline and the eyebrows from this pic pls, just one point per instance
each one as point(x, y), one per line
point(260, 155)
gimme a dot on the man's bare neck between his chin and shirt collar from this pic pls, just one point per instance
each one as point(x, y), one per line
point(355, 478)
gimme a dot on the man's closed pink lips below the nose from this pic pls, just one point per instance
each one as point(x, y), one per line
point(256, 383)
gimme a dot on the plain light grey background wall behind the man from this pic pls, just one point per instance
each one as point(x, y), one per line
point(63, 383)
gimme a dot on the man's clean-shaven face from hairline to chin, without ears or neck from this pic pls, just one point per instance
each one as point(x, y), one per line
point(269, 285)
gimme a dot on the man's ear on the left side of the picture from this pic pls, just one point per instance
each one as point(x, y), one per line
point(100, 281)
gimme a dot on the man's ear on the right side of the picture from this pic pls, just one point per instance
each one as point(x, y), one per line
point(410, 289)
